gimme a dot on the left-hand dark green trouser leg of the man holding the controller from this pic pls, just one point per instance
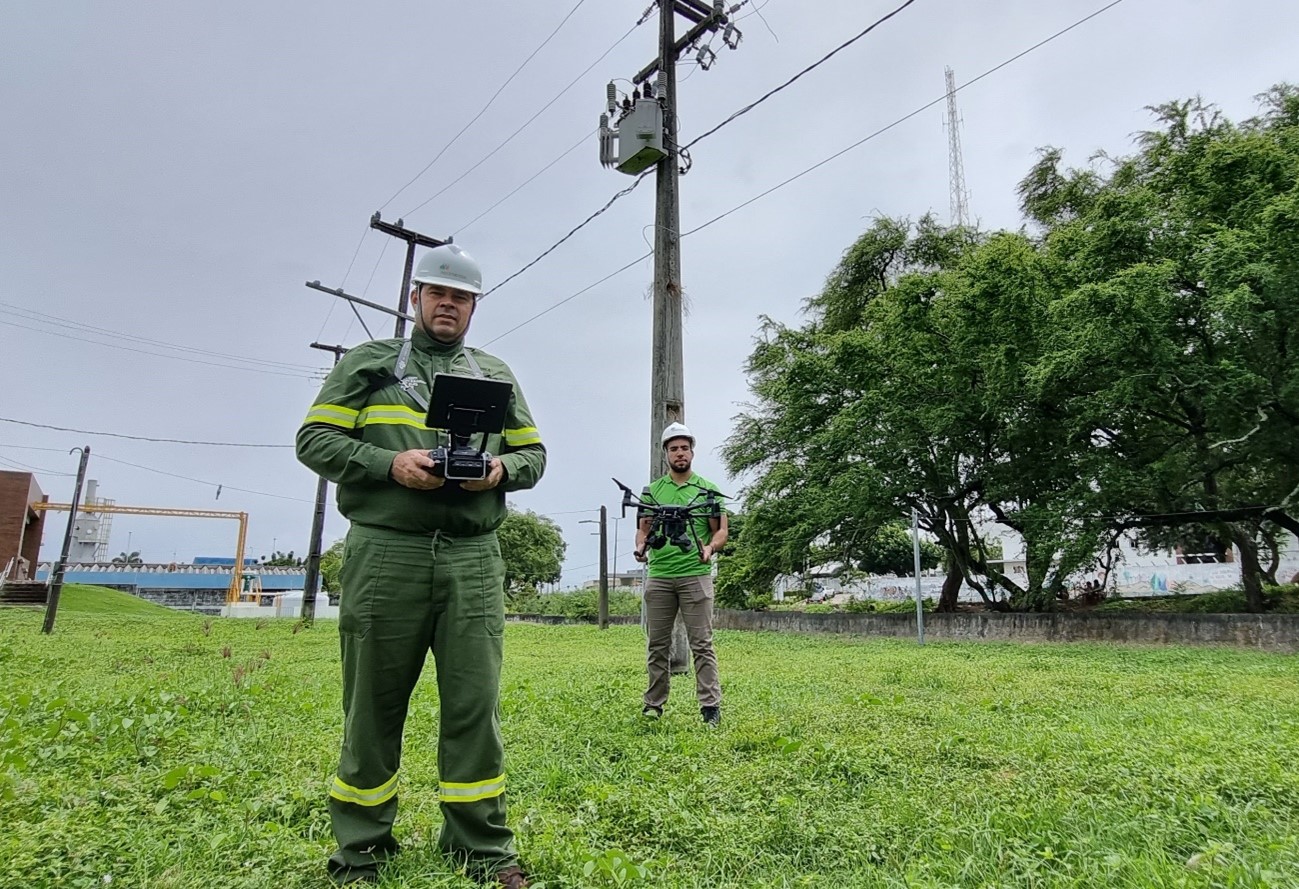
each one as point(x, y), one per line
point(386, 618)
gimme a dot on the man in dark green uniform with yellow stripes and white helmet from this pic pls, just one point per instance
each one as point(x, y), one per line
point(423, 571)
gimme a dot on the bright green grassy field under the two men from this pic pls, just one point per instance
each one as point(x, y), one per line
point(159, 749)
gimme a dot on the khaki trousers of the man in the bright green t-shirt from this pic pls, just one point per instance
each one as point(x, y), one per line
point(693, 597)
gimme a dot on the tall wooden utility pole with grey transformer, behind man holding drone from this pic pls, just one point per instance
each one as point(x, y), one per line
point(638, 144)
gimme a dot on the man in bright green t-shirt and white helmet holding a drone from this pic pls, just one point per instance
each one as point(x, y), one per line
point(681, 582)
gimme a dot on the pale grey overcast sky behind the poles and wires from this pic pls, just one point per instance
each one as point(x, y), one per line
point(172, 175)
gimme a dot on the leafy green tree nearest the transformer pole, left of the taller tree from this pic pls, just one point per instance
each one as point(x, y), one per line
point(871, 410)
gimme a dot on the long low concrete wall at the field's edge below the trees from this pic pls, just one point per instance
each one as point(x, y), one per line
point(1263, 632)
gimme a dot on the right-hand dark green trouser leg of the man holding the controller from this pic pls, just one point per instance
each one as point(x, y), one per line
point(467, 645)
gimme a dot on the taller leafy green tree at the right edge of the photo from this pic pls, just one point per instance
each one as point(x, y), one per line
point(1174, 345)
